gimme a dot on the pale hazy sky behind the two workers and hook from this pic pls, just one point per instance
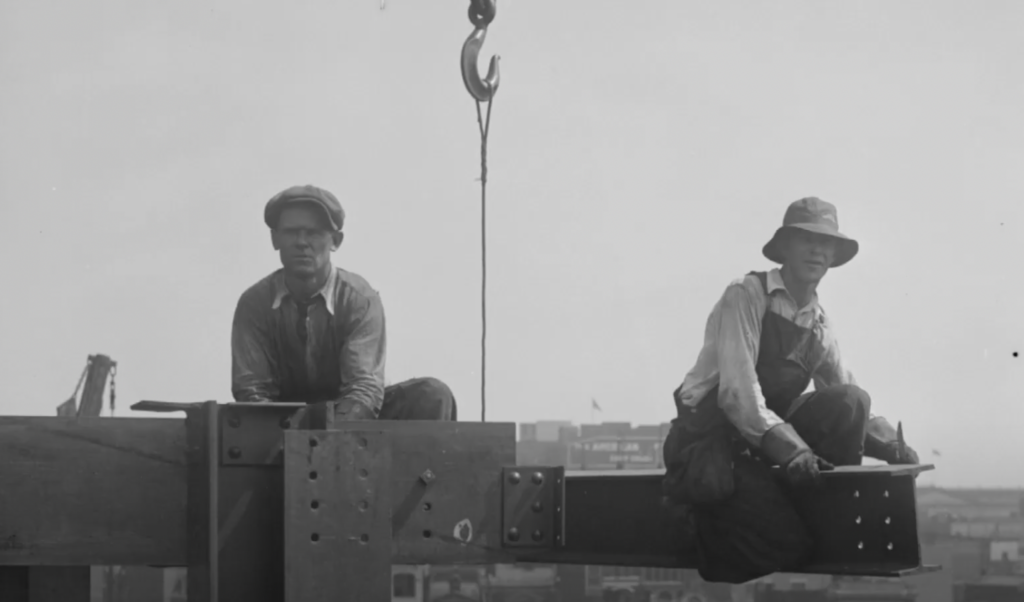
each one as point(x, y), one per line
point(641, 155)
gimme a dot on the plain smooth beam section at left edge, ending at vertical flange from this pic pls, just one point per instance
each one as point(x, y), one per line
point(93, 491)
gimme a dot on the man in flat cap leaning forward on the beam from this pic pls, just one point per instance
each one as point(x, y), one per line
point(315, 333)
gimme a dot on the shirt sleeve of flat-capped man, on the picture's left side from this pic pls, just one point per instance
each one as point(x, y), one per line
point(253, 370)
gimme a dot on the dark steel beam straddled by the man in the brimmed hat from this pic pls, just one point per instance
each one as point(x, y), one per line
point(864, 522)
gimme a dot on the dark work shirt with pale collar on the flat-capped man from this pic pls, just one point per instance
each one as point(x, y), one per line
point(331, 350)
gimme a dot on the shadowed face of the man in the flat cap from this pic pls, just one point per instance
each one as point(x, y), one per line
point(305, 239)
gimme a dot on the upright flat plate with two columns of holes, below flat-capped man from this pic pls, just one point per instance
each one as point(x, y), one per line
point(338, 509)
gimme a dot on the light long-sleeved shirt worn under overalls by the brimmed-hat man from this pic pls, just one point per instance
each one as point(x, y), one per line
point(730, 357)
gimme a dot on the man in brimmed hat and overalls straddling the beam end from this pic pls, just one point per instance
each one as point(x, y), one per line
point(745, 408)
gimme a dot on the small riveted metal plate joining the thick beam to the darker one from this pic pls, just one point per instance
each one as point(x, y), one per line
point(532, 507)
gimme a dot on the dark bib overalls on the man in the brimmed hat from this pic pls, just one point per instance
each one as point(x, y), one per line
point(743, 522)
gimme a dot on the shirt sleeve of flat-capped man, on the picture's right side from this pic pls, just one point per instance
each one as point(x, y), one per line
point(364, 354)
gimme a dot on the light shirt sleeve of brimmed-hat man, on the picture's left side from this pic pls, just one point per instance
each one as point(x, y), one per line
point(740, 395)
